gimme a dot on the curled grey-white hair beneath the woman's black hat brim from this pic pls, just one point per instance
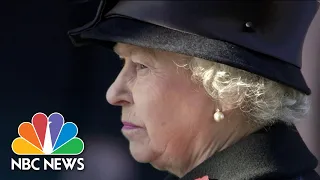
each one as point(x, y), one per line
point(263, 101)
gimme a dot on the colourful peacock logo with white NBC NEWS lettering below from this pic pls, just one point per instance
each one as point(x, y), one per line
point(47, 136)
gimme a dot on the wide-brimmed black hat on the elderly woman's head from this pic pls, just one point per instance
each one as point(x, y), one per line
point(264, 37)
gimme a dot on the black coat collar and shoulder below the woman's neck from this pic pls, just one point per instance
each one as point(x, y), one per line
point(273, 153)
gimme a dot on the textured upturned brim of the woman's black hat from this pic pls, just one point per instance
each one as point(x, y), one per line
point(126, 30)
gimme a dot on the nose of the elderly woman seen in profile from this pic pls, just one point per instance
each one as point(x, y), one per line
point(118, 93)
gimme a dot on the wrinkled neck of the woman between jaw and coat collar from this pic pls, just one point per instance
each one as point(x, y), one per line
point(212, 140)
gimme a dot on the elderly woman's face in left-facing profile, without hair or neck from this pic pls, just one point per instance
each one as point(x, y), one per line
point(163, 111)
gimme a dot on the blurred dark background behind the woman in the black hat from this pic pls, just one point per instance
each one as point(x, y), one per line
point(41, 71)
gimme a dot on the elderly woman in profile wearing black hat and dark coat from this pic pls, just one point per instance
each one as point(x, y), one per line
point(210, 89)
